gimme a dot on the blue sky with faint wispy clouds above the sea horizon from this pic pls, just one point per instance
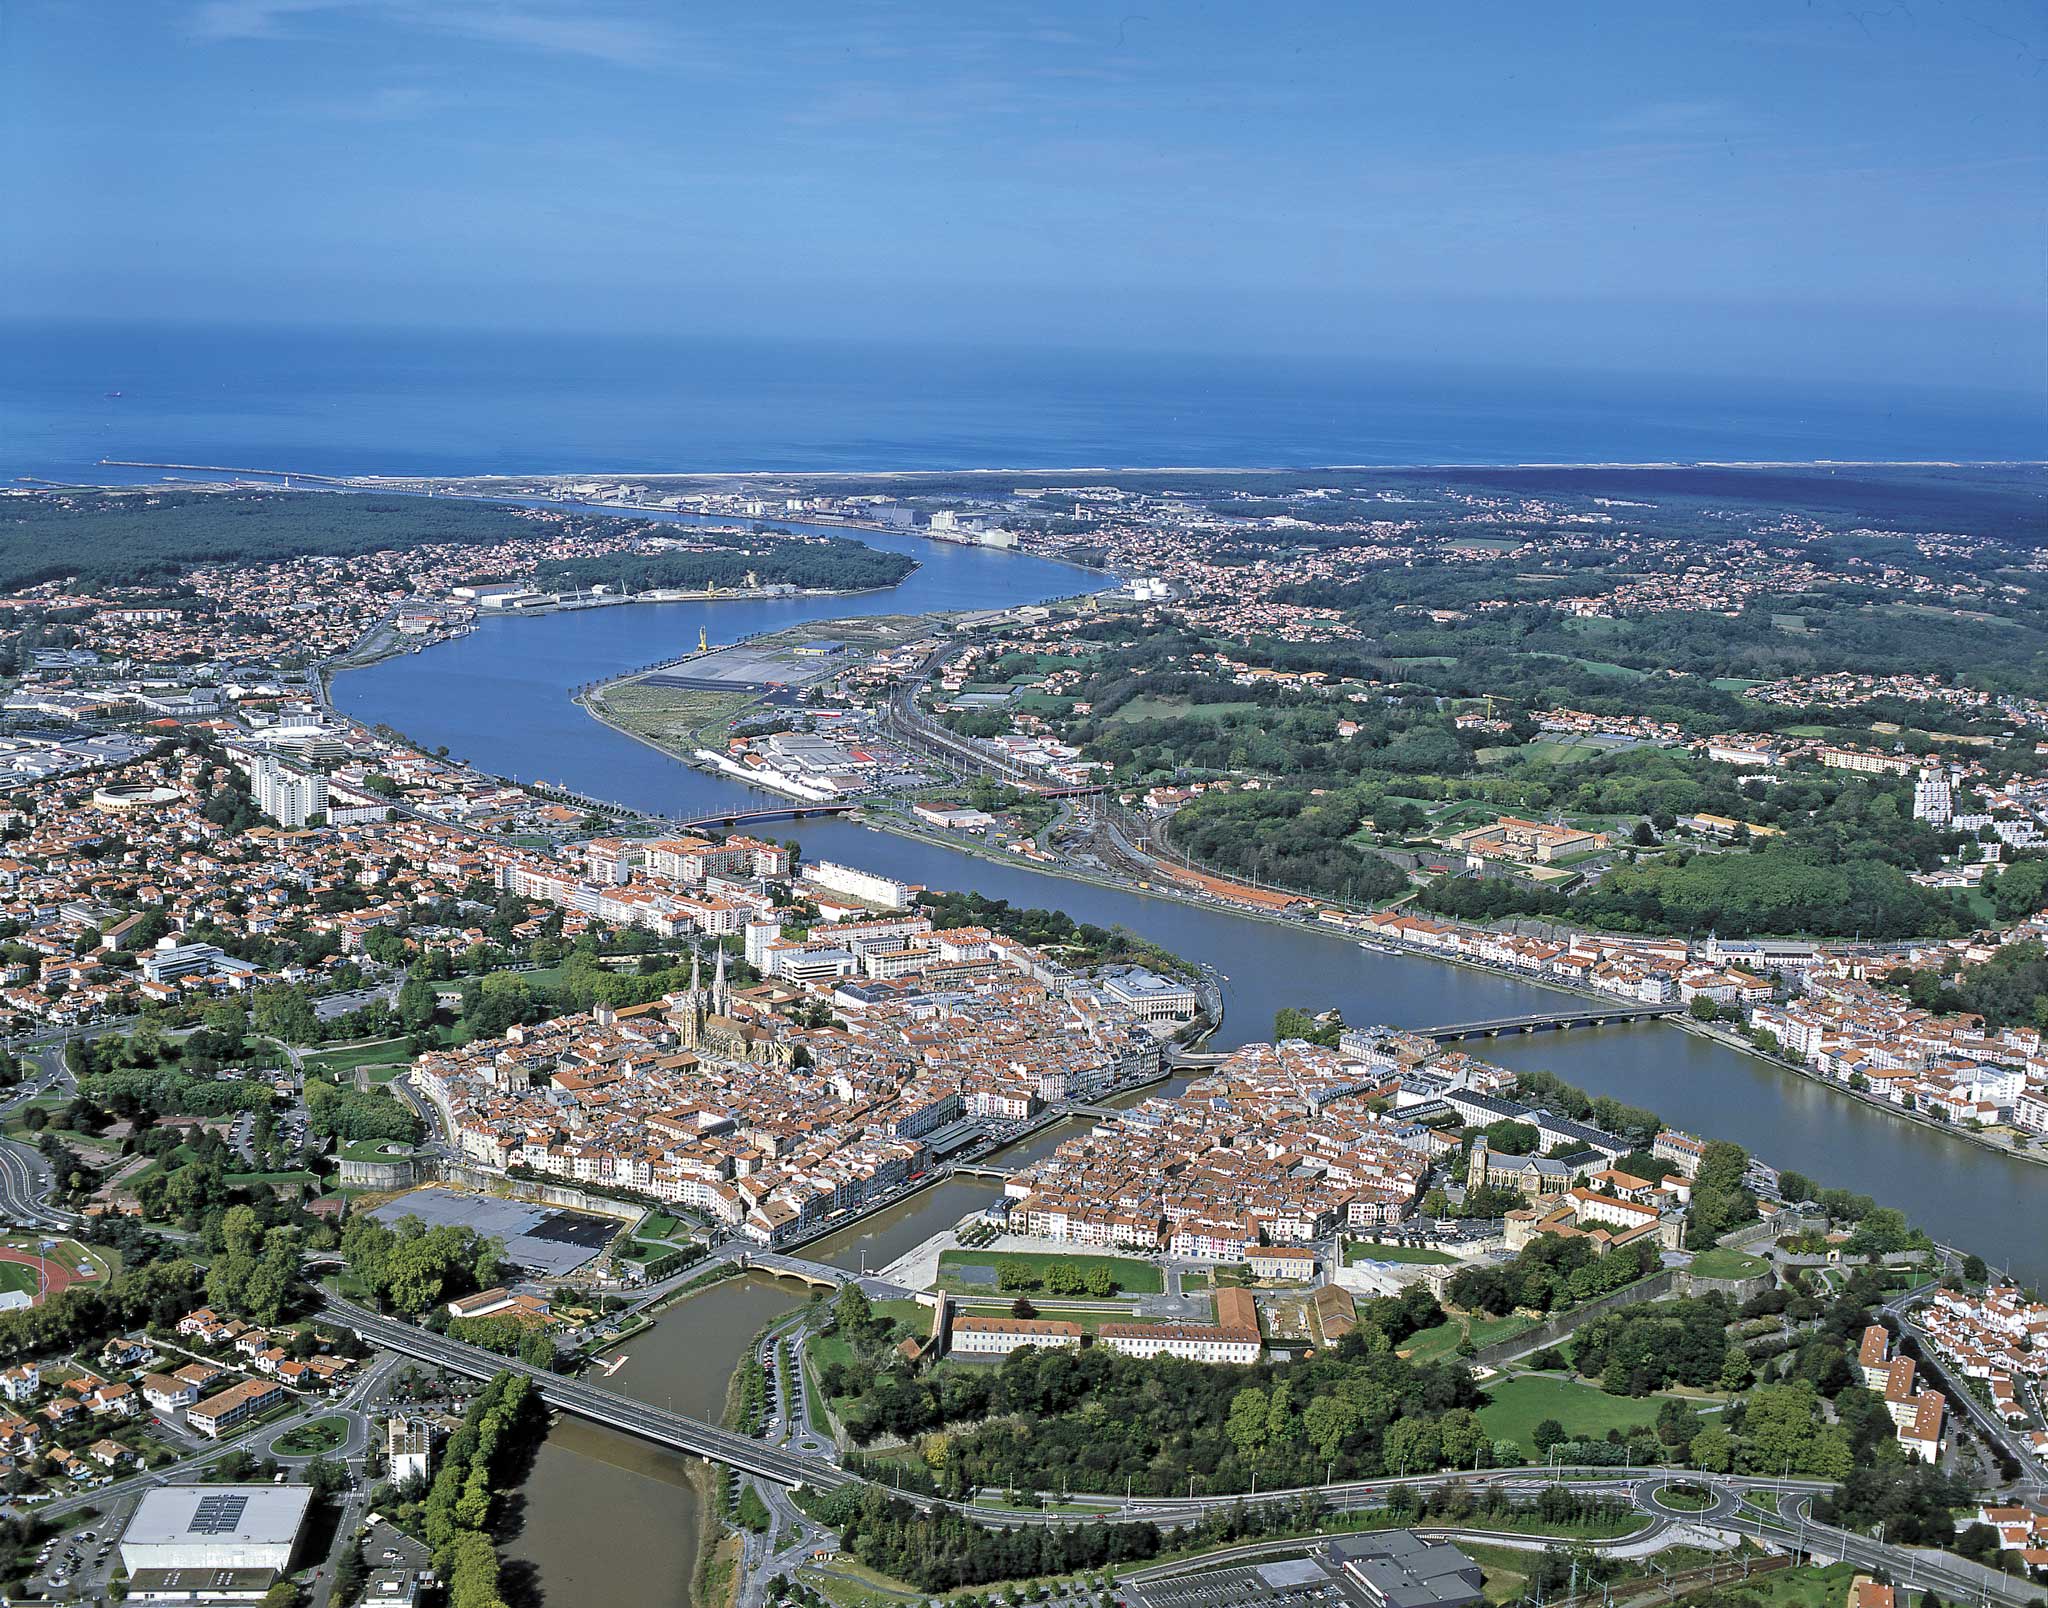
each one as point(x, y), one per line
point(1758, 189)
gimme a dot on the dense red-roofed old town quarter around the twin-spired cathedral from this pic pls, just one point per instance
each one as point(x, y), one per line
point(720, 1101)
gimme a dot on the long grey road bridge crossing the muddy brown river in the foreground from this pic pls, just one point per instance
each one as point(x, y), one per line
point(607, 1408)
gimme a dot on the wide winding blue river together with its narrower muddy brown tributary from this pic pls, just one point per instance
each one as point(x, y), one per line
point(501, 700)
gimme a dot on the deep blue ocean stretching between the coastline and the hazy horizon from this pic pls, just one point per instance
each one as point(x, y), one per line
point(349, 403)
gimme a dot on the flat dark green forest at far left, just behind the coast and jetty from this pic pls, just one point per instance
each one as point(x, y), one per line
point(153, 538)
